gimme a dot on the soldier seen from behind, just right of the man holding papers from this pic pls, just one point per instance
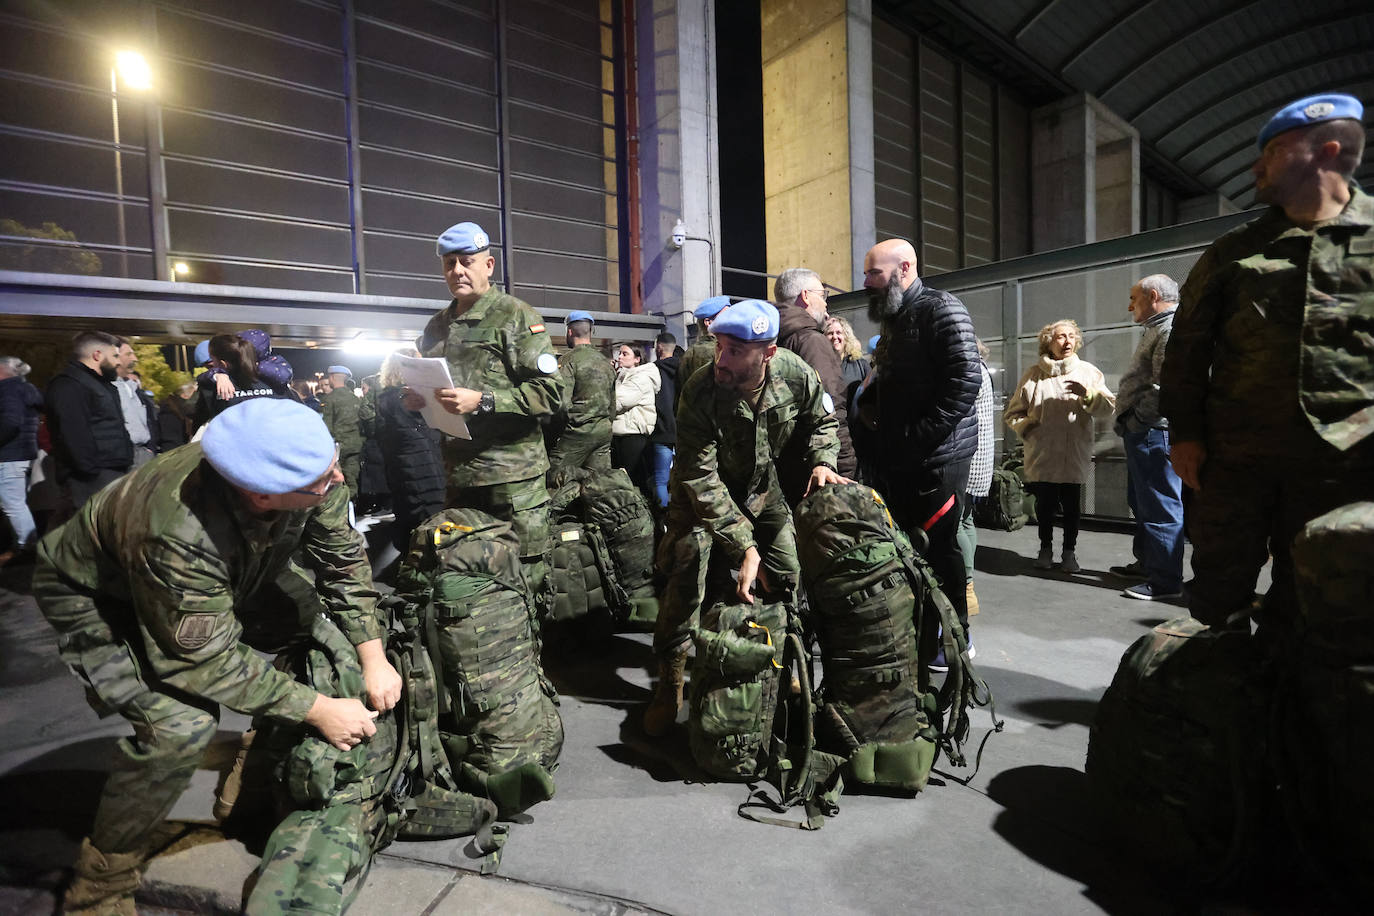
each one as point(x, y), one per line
point(589, 402)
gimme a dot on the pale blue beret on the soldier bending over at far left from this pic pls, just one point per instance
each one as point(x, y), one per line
point(269, 446)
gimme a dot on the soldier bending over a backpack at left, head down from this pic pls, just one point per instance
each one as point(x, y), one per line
point(163, 587)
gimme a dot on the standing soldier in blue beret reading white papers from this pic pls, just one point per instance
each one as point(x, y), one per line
point(506, 381)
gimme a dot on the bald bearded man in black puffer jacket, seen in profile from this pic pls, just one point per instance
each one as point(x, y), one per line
point(920, 406)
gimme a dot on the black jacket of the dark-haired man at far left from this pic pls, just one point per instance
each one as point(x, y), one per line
point(87, 424)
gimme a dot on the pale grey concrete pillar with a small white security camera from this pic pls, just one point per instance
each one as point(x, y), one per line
point(678, 156)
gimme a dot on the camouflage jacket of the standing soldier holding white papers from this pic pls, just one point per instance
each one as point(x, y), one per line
point(498, 345)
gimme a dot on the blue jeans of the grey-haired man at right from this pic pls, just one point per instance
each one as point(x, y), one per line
point(1156, 498)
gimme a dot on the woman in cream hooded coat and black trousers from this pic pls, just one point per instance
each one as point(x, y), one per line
point(1052, 411)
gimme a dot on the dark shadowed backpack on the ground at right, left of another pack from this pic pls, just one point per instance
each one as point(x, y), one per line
point(1177, 755)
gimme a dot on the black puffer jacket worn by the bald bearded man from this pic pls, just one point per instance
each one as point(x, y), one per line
point(928, 382)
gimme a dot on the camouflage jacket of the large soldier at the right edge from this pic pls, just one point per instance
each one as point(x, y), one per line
point(1276, 332)
